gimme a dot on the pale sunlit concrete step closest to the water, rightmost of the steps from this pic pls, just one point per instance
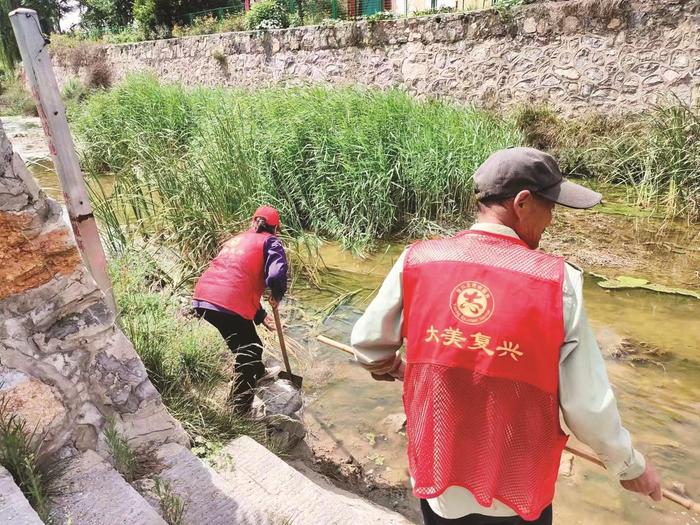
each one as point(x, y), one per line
point(288, 496)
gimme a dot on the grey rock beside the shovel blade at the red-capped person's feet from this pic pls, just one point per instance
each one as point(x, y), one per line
point(280, 406)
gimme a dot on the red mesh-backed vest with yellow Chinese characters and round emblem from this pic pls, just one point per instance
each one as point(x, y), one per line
point(484, 326)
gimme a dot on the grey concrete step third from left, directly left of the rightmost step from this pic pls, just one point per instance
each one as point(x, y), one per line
point(208, 498)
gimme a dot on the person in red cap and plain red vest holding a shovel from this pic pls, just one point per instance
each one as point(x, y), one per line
point(228, 296)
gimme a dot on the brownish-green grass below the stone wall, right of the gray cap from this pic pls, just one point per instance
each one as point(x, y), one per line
point(654, 155)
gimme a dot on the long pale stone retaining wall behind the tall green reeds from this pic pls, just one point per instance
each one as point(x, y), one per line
point(617, 55)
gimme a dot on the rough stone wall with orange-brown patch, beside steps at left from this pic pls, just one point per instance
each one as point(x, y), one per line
point(64, 365)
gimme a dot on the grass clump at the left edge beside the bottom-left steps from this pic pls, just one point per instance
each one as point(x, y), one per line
point(19, 455)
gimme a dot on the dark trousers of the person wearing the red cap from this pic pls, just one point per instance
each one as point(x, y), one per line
point(244, 342)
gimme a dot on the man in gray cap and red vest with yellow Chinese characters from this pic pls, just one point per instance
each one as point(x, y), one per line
point(497, 342)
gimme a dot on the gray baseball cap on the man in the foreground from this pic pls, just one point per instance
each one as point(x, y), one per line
point(509, 171)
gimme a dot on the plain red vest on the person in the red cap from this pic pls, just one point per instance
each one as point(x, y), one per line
point(235, 279)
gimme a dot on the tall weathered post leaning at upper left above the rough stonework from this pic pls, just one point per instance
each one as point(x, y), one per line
point(33, 47)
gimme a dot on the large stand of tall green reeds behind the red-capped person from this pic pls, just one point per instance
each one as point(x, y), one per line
point(351, 164)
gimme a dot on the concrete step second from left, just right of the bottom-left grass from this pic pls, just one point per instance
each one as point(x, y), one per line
point(88, 491)
